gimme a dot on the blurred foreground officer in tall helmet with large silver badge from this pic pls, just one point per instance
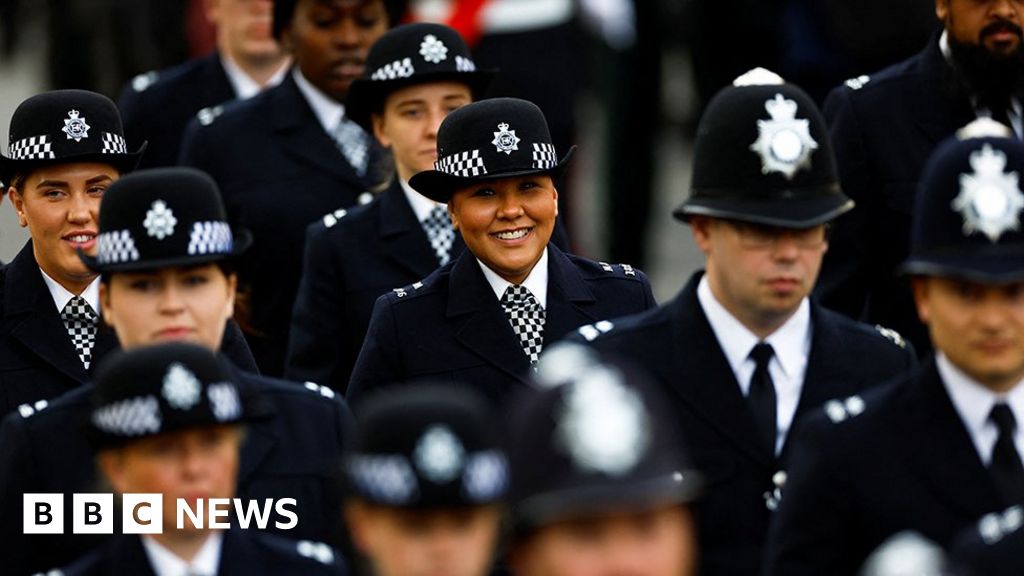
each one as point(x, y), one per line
point(603, 483)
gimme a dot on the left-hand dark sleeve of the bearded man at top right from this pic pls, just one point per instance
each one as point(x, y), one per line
point(843, 283)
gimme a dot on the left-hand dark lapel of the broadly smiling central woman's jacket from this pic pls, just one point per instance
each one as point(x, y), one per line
point(479, 321)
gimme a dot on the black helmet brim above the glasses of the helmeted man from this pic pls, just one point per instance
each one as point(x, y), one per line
point(800, 211)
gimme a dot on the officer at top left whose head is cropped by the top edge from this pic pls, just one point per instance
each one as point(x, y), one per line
point(157, 106)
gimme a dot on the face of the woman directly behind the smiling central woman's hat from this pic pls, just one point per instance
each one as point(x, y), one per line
point(410, 120)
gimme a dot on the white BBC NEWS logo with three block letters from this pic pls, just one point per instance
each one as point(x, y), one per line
point(144, 514)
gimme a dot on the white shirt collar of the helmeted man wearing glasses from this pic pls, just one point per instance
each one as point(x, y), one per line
point(792, 342)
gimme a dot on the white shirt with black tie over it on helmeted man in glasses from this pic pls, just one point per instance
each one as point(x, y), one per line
point(792, 344)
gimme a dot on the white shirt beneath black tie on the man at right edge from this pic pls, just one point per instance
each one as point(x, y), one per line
point(974, 404)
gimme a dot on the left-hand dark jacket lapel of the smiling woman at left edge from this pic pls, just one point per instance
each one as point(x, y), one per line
point(40, 331)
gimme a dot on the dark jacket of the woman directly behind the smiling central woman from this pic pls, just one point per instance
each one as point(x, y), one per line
point(352, 260)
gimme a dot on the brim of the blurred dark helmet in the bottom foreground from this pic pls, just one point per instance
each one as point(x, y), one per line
point(545, 509)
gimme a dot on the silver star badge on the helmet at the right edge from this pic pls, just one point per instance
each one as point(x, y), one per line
point(990, 199)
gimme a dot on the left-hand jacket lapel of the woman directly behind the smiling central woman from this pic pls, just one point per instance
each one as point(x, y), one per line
point(402, 235)
